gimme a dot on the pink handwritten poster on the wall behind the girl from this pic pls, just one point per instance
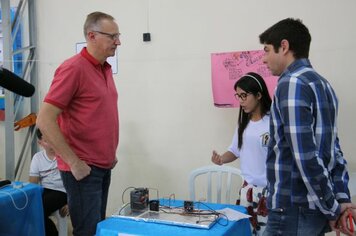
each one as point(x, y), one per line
point(228, 67)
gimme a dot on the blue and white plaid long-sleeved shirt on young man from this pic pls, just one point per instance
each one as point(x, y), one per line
point(305, 164)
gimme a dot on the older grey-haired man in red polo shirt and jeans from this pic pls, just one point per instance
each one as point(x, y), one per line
point(79, 117)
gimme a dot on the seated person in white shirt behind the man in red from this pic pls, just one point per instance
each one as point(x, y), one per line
point(44, 171)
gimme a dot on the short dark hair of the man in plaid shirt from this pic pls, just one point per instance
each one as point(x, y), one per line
point(294, 31)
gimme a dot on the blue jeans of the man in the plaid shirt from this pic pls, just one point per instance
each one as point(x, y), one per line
point(296, 221)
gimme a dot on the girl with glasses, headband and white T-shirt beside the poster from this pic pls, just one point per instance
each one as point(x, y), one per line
point(249, 144)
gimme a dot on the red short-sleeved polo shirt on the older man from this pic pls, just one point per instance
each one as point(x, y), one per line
point(85, 92)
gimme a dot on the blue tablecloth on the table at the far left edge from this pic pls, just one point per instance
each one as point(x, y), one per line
point(17, 217)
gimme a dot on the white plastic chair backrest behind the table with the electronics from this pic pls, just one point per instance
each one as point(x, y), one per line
point(219, 176)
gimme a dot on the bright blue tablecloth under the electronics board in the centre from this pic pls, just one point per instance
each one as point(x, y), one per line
point(115, 226)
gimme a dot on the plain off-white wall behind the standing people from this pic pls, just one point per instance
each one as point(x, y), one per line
point(168, 124)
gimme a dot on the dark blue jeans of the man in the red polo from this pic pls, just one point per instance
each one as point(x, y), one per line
point(87, 199)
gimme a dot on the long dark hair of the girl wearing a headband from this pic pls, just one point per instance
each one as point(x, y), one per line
point(252, 83)
